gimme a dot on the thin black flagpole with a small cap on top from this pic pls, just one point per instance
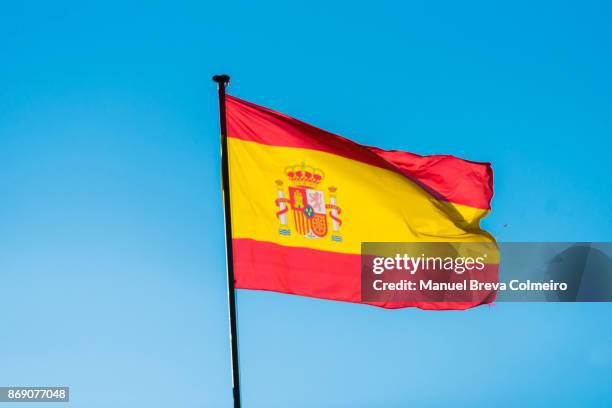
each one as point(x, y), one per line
point(222, 81)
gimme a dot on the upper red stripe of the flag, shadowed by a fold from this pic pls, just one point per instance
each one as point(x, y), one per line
point(444, 176)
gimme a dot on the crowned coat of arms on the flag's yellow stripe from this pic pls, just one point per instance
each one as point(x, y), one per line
point(307, 204)
